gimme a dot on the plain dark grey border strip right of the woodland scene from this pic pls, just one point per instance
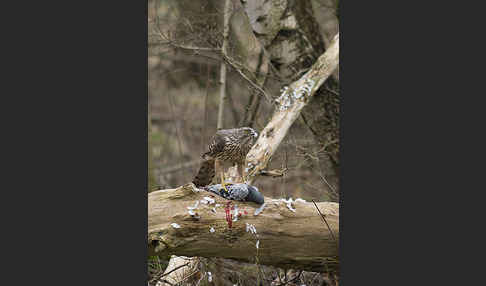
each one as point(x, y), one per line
point(405, 147)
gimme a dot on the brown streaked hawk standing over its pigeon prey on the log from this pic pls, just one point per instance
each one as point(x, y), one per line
point(226, 146)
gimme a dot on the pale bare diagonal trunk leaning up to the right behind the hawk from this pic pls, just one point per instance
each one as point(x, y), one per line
point(291, 102)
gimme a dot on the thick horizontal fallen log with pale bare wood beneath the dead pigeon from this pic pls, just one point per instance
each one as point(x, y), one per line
point(287, 239)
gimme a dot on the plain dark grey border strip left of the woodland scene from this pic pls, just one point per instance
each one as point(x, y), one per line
point(75, 101)
